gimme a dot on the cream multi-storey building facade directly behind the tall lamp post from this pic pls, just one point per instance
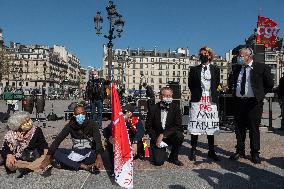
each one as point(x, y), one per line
point(132, 67)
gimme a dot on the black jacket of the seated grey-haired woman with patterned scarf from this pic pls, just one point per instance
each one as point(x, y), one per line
point(38, 142)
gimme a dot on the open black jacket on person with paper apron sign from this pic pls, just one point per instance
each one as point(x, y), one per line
point(194, 82)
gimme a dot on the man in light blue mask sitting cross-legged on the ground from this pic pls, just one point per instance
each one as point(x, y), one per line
point(87, 146)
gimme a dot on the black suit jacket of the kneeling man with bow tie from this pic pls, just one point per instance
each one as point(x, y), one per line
point(153, 123)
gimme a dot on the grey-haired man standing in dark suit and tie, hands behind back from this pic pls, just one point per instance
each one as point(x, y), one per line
point(252, 80)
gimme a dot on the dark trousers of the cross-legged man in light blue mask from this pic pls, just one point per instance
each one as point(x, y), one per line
point(61, 155)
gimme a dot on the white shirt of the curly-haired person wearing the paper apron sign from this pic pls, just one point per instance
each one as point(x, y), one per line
point(206, 80)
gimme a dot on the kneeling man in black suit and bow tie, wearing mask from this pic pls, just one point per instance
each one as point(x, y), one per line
point(164, 126)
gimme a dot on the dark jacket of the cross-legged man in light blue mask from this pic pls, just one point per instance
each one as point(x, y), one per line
point(89, 130)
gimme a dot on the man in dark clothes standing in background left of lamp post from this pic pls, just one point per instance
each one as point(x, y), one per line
point(95, 92)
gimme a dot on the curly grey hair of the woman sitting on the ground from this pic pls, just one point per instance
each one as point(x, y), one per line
point(17, 119)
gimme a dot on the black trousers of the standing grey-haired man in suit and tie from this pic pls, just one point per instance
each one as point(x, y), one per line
point(248, 116)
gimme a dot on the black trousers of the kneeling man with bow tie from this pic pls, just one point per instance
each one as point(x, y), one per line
point(160, 155)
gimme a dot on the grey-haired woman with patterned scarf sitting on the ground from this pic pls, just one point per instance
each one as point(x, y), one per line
point(24, 145)
